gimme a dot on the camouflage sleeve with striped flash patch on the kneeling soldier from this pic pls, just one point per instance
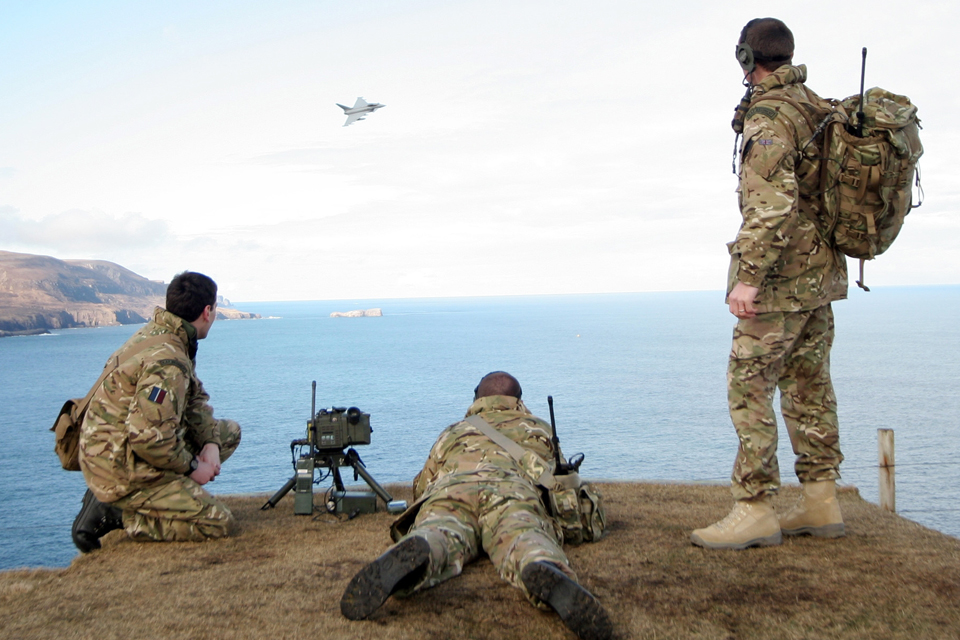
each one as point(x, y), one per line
point(153, 423)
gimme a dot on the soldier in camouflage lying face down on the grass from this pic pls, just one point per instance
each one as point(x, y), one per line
point(472, 497)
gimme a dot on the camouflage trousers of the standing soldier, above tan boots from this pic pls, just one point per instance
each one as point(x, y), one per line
point(790, 351)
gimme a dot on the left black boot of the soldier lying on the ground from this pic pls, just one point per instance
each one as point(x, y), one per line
point(402, 566)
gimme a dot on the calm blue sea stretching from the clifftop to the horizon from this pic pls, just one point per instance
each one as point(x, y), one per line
point(638, 382)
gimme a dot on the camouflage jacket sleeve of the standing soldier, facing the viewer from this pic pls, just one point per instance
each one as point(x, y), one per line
point(768, 198)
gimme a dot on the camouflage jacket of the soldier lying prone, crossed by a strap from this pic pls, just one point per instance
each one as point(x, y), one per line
point(463, 454)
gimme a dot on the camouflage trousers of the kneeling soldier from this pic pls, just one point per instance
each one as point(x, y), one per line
point(180, 509)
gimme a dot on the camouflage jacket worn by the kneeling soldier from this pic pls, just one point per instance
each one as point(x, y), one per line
point(146, 411)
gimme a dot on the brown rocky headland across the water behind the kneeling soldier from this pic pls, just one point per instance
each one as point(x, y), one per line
point(40, 293)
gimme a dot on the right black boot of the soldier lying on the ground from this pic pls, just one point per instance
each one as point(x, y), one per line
point(576, 606)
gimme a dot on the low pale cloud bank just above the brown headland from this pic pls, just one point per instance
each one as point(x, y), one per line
point(77, 232)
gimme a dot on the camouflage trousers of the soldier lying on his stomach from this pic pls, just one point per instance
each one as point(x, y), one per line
point(503, 518)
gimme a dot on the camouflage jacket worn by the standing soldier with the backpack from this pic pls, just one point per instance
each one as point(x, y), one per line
point(778, 248)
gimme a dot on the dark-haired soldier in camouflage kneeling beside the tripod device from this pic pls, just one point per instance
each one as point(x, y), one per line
point(149, 440)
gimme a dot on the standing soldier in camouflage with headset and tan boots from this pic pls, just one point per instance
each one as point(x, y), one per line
point(783, 277)
